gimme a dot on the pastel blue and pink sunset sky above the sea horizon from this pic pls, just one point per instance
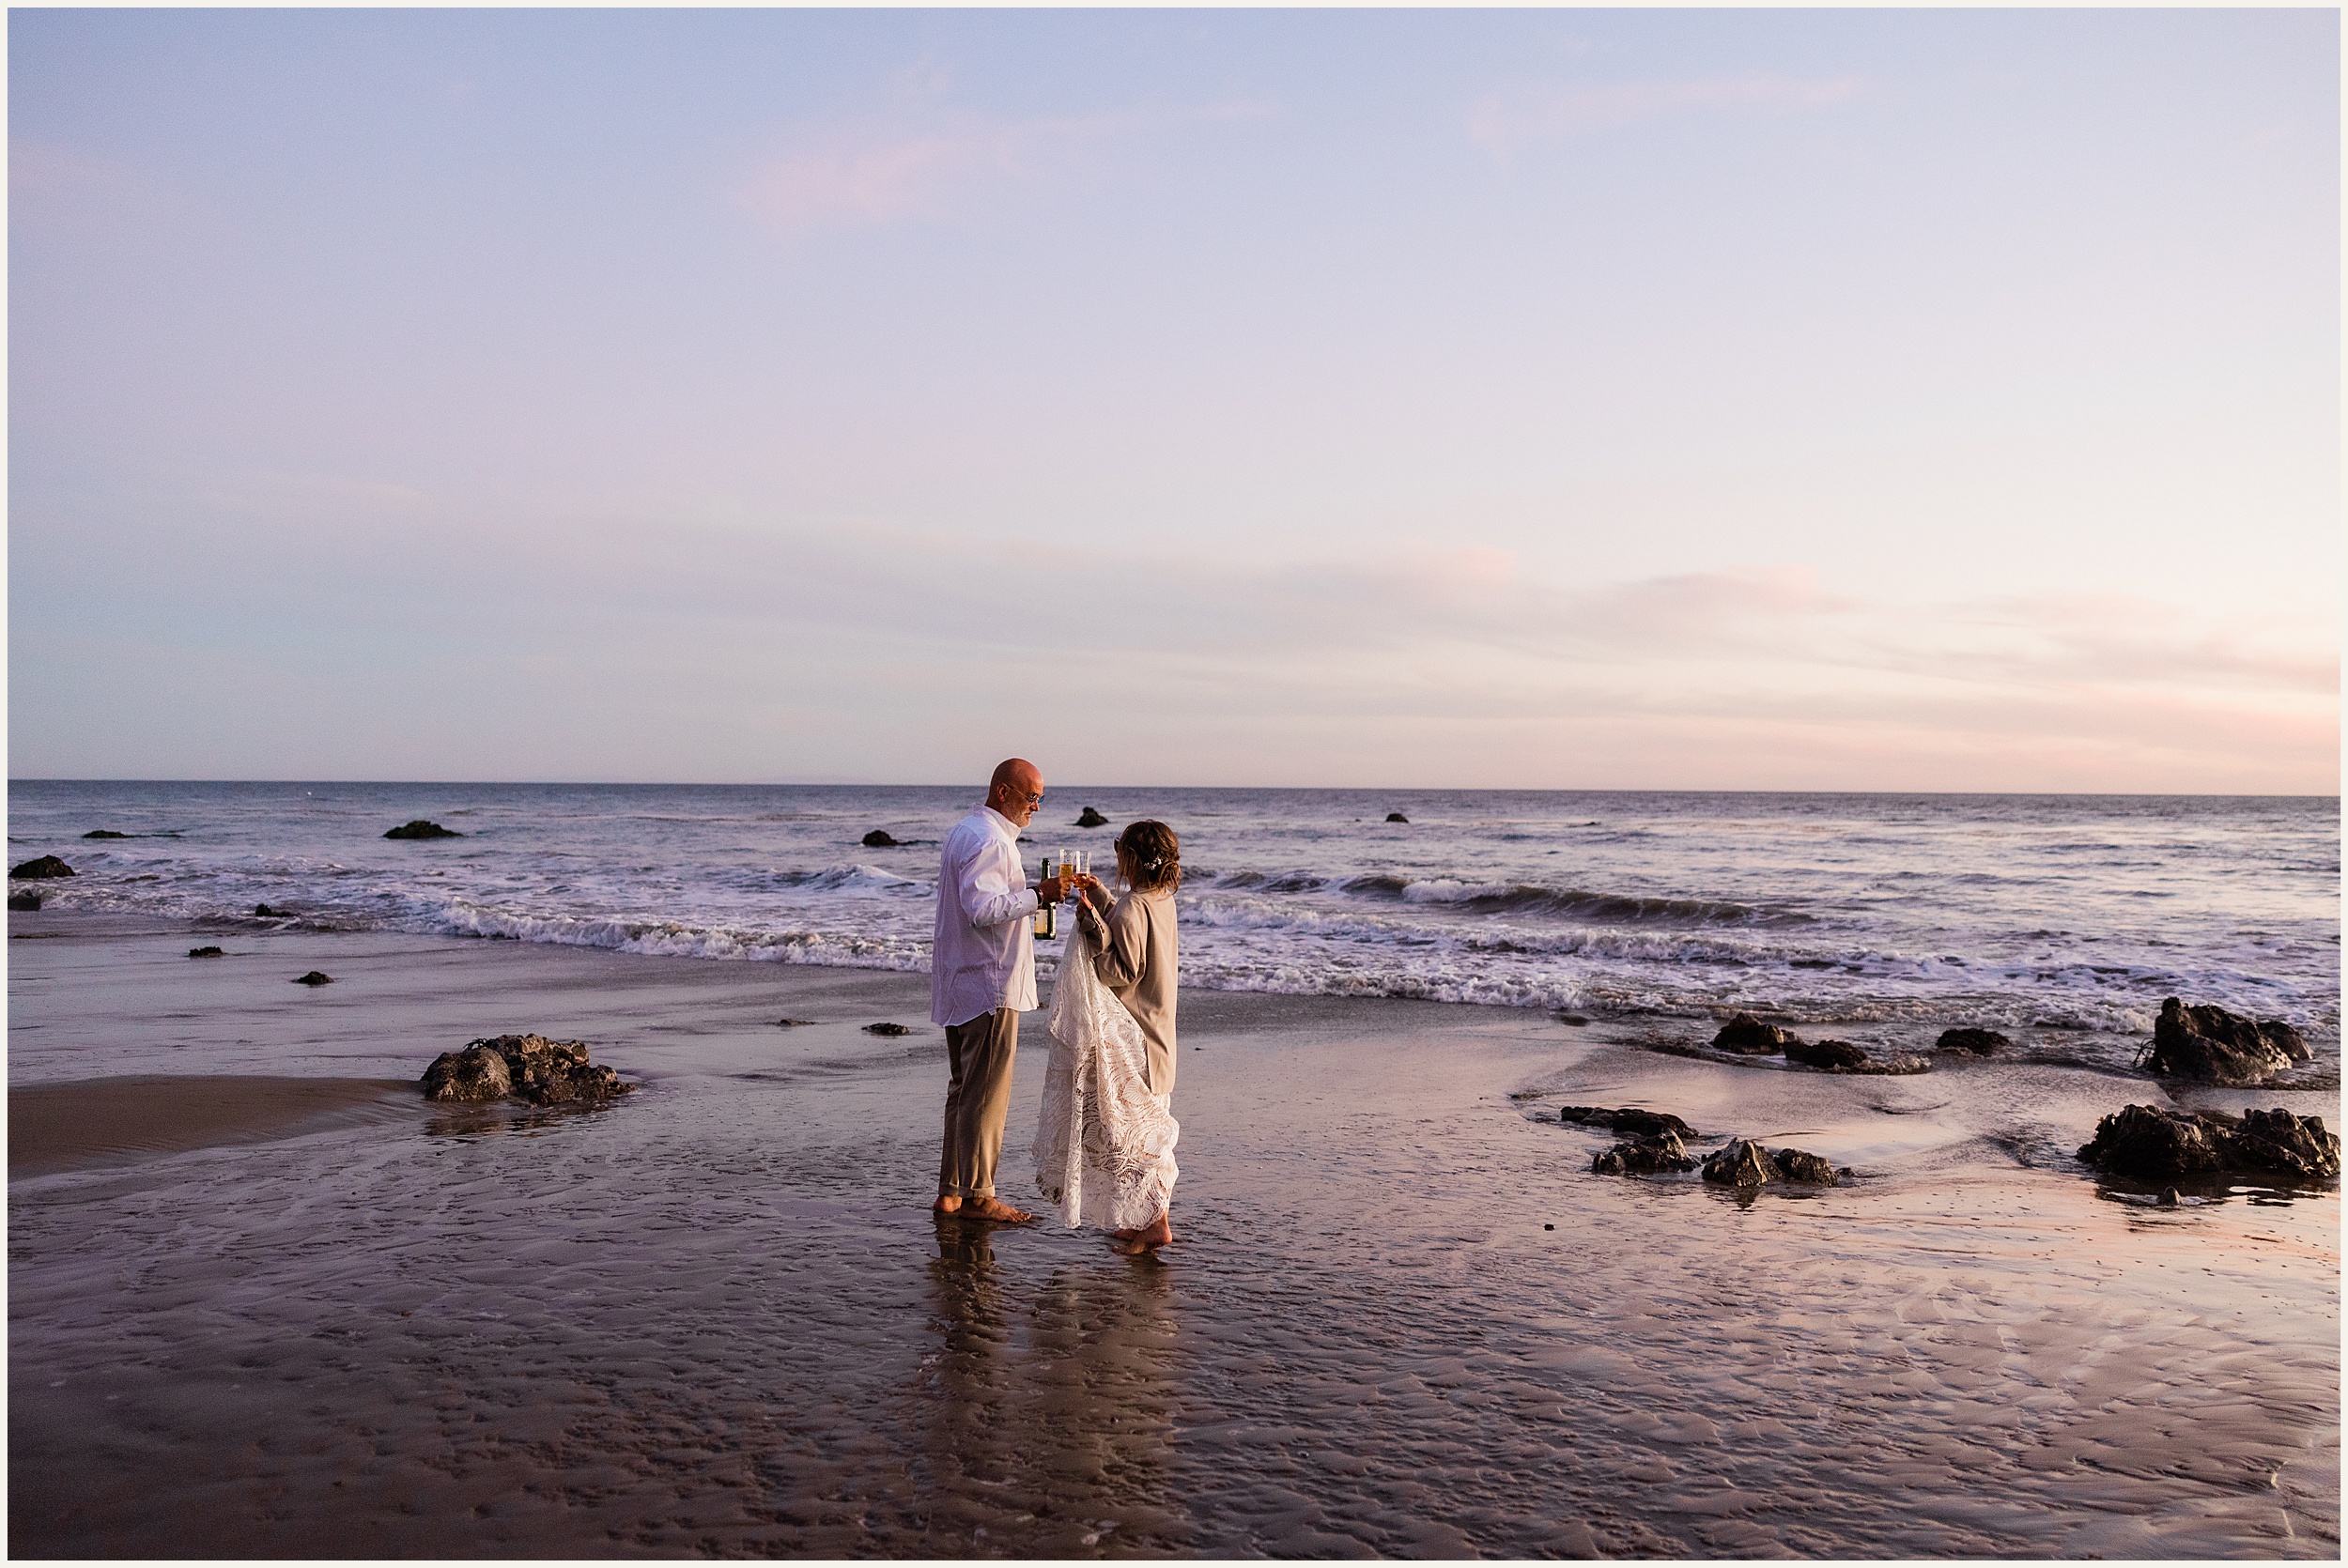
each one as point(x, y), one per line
point(1553, 400)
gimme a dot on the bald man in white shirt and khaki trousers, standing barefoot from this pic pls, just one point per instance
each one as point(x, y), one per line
point(983, 978)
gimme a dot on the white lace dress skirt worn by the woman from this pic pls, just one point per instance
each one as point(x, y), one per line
point(1105, 1144)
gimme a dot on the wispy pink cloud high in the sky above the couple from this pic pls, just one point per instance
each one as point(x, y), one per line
point(919, 158)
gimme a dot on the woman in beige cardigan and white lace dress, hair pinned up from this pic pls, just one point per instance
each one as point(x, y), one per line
point(1105, 1144)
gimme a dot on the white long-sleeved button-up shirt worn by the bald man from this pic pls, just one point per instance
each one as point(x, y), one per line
point(985, 949)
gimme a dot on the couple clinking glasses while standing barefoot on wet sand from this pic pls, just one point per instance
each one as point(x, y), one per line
point(1105, 1142)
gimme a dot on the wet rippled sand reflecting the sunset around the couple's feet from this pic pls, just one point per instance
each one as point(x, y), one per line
point(717, 1318)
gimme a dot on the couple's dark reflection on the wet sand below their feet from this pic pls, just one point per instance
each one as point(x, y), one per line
point(1048, 1398)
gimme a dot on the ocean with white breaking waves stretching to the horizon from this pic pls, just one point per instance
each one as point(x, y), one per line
point(1828, 910)
